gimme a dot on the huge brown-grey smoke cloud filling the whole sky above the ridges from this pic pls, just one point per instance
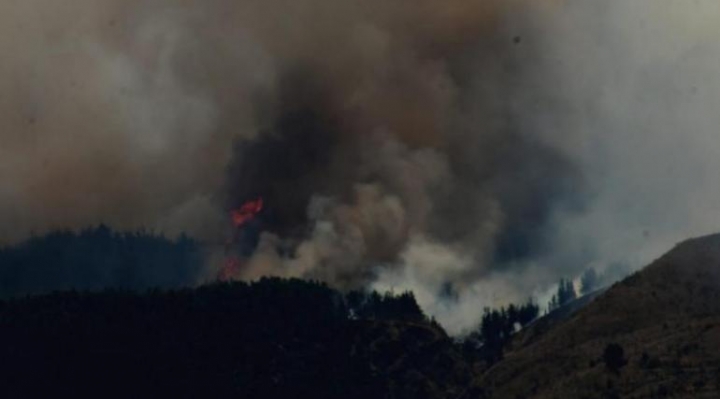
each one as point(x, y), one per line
point(490, 146)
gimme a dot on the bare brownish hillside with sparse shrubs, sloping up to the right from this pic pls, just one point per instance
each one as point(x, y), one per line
point(666, 319)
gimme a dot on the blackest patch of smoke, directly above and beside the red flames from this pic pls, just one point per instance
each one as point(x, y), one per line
point(287, 163)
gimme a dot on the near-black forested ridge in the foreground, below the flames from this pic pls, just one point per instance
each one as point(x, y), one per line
point(270, 339)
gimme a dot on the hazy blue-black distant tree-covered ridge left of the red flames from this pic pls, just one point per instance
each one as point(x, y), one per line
point(98, 258)
